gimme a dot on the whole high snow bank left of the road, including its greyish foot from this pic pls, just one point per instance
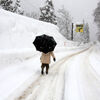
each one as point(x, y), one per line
point(17, 34)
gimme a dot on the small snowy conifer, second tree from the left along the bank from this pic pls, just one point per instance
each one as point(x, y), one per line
point(17, 8)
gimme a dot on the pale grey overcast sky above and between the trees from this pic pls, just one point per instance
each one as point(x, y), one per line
point(78, 9)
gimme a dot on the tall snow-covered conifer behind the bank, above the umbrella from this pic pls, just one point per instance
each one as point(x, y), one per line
point(47, 13)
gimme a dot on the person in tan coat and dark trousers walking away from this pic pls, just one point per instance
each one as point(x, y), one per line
point(45, 60)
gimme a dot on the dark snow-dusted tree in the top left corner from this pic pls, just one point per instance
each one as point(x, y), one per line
point(6, 4)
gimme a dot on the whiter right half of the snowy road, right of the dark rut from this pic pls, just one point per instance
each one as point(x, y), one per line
point(82, 82)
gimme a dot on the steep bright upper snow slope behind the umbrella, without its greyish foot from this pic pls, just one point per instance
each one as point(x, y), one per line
point(18, 31)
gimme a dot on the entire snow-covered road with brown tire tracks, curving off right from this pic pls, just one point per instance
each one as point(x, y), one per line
point(71, 78)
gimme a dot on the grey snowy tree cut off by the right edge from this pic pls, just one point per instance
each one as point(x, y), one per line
point(97, 19)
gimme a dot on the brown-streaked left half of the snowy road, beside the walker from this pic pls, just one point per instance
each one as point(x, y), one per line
point(48, 87)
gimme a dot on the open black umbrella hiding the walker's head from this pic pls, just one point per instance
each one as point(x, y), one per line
point(44, 43)
